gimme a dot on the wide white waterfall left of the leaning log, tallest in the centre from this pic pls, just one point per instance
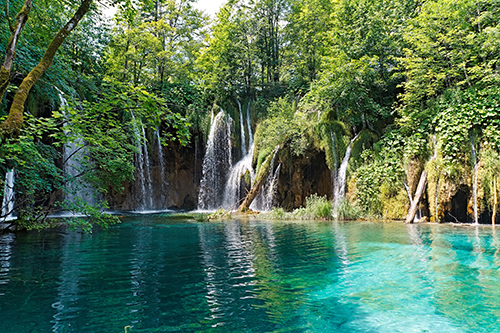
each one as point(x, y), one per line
point(217, 162)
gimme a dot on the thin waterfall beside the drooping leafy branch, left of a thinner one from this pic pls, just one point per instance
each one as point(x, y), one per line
point(143, 167)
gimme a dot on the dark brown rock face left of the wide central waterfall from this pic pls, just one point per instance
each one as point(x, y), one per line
point(174, 187)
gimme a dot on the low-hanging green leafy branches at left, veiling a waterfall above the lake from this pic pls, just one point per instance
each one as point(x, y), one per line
point(107, 133)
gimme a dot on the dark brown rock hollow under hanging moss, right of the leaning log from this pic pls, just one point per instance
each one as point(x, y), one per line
point(304, 176)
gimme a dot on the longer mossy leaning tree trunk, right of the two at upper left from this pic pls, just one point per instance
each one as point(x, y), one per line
point(15, 119)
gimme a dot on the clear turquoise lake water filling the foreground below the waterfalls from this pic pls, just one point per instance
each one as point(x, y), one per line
point(169, 275)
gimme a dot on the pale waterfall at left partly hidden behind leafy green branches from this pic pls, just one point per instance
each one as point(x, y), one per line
point(74, 153)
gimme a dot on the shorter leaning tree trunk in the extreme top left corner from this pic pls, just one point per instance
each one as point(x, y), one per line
point(10, 51)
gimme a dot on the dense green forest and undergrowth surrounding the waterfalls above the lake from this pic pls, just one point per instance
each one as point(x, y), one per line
point(409, 88)
